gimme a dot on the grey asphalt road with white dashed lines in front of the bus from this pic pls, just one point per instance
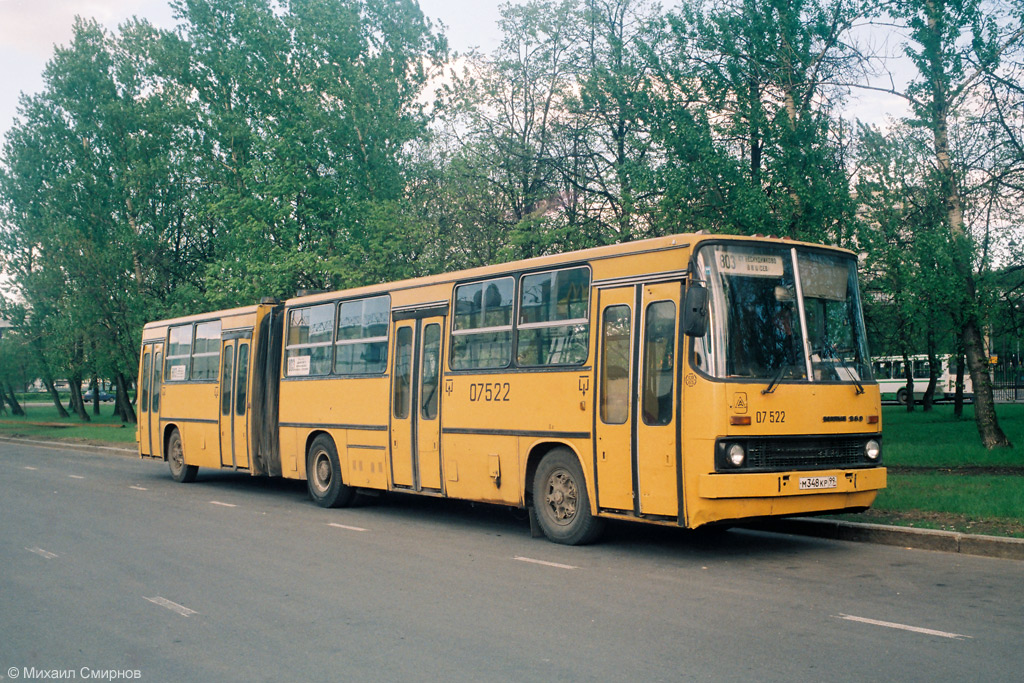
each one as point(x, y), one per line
point(108, 566)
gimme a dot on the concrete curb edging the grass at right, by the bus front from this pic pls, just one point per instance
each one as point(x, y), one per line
point(906, 537)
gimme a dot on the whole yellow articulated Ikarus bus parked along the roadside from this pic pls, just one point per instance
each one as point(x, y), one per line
point(687, 380)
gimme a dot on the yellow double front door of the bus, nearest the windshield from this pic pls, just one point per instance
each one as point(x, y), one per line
point(636, 451)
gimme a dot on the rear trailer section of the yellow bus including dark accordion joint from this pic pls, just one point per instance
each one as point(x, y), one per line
point(205, 397)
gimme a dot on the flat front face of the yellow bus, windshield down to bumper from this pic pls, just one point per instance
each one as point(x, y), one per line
point(783, 415)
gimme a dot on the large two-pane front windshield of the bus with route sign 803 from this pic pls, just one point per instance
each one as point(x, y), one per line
point(782, 314)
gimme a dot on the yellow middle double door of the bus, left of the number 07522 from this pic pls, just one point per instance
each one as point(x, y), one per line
point(415, 404)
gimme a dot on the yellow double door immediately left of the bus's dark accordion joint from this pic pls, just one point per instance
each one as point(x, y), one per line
point(234, 403)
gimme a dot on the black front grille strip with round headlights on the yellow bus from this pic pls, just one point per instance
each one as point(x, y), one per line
point(804, 454)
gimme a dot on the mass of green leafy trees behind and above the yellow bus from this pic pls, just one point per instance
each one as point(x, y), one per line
point(267, 147)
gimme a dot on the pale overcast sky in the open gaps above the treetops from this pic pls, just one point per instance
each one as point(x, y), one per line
point(30, 29)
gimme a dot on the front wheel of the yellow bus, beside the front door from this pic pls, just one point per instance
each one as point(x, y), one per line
point(562, 503)
